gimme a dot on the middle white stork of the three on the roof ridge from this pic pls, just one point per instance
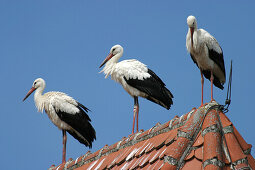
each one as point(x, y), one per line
point(137, 80)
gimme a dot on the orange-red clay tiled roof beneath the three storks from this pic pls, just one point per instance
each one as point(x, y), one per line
point(204, 138)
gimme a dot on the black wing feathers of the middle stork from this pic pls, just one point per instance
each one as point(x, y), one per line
point(154, 87)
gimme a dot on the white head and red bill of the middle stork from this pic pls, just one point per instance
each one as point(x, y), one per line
point(115, 53)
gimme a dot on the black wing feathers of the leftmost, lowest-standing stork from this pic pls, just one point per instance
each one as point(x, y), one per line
point(80, 122)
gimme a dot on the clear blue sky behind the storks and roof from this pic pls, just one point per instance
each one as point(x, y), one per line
point(65, 41)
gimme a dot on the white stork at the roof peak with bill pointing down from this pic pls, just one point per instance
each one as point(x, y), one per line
point(206, 52)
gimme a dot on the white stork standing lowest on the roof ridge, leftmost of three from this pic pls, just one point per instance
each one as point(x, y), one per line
point(66, 113)
